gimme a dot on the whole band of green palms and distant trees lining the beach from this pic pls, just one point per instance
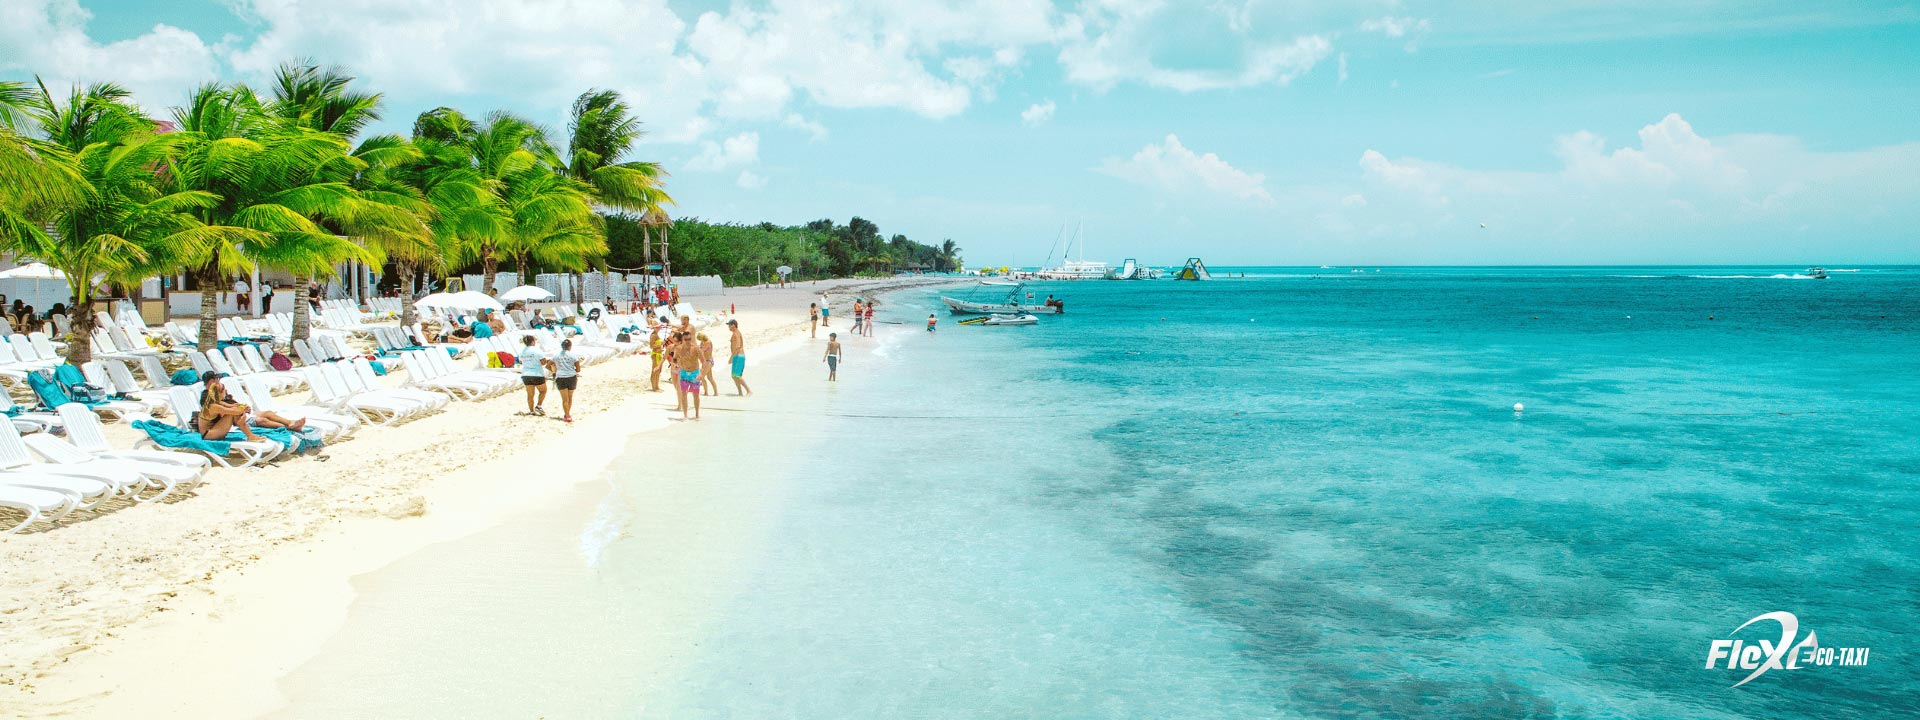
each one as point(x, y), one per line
point(289, 180)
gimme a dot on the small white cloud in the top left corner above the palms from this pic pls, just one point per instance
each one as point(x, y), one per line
point(49, 37)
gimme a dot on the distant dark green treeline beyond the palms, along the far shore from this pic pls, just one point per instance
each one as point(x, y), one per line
point(744, 252)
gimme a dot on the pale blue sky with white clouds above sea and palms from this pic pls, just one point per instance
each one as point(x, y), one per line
point(1343, 133)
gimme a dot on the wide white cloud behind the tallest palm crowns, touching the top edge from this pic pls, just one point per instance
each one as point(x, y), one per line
point(427, 53)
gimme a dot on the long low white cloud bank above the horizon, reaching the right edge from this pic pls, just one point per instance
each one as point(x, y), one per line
point(1673, 181)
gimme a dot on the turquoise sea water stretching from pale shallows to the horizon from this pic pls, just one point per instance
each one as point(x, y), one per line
point(1305, 494)
